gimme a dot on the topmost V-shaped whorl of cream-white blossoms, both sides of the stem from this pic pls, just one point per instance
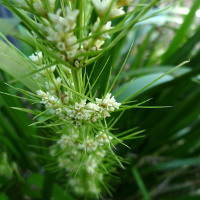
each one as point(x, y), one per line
point(59, 28)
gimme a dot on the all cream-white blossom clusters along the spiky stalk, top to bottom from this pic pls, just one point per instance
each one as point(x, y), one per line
point(78, 153)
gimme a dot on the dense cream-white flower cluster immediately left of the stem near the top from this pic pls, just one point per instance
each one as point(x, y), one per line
point(60, 31)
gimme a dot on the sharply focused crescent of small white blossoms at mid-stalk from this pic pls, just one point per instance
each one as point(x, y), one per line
point(78, 111)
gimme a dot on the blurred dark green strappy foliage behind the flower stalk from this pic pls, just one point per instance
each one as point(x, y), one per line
point(162, 165)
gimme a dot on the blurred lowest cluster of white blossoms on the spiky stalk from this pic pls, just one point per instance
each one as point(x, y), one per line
point(73, 149)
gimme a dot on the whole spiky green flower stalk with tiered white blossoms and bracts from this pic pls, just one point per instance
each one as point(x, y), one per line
point(76, 114)
